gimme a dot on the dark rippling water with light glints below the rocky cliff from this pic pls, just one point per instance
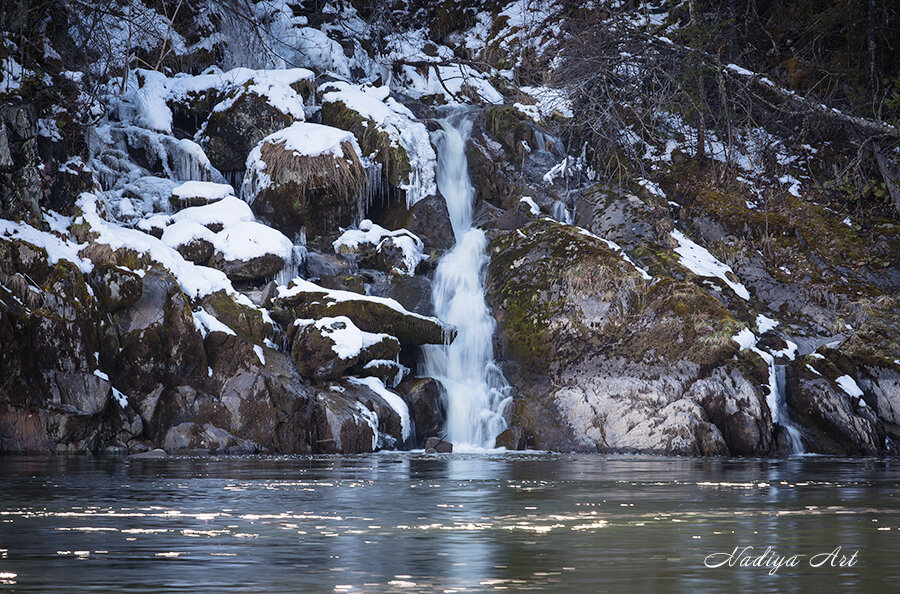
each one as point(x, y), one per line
point(414, 522)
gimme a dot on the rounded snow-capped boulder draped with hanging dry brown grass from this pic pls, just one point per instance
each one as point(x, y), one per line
point(308, 177)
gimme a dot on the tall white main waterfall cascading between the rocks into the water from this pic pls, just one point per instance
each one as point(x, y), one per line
point(475, 388)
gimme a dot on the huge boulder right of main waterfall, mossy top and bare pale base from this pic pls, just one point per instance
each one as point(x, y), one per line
point(605, 361)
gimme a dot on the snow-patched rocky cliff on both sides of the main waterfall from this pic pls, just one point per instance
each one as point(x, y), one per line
point(218, 232)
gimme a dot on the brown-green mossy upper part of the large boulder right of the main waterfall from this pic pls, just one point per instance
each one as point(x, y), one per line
point(560, 294)
